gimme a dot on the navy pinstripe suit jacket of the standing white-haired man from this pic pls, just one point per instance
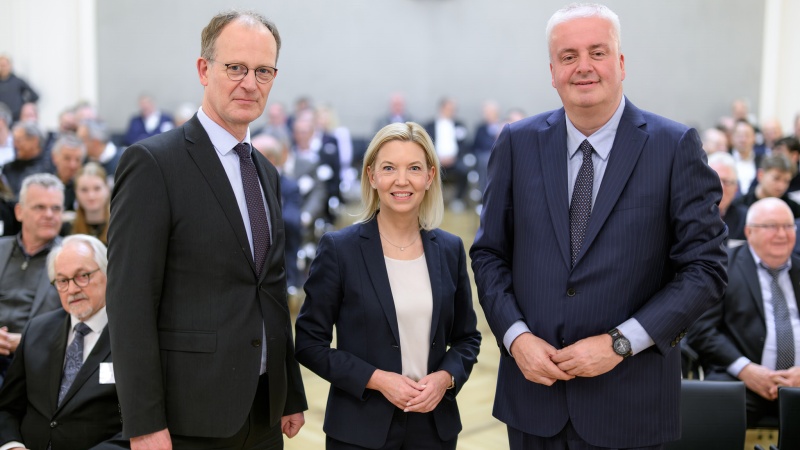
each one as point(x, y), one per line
point(653, 251)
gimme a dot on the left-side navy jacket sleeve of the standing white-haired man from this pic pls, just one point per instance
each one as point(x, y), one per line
point(493, 249)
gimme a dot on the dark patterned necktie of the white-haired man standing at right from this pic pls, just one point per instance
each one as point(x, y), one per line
point(580, 208)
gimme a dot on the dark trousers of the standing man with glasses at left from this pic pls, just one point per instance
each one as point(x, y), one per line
point(255, 434)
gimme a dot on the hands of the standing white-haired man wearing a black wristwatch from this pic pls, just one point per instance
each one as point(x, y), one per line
point(542, 363)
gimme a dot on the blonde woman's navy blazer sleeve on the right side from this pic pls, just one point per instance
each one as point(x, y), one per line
point(464, 339)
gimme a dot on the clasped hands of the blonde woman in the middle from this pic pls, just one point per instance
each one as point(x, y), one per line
point(411, 396)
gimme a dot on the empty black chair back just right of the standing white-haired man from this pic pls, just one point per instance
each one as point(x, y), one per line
point(713, 416)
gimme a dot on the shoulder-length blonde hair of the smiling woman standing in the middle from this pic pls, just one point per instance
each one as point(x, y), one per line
point(431, 210)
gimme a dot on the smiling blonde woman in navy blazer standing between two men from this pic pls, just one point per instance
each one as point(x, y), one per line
point(363, 282)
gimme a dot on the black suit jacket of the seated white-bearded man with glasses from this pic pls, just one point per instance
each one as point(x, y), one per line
point(88, 417)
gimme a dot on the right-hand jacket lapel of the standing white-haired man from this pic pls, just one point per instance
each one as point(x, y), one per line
point(628, 144)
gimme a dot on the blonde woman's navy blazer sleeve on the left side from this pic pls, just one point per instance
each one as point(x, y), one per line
point(314, 326)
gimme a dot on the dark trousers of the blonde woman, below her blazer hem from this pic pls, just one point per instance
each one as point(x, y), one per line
point(409, 431)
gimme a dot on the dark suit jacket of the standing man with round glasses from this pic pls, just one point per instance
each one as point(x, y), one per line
point(186, 308)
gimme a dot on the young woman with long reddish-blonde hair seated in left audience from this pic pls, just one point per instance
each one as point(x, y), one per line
point(94, 202)
